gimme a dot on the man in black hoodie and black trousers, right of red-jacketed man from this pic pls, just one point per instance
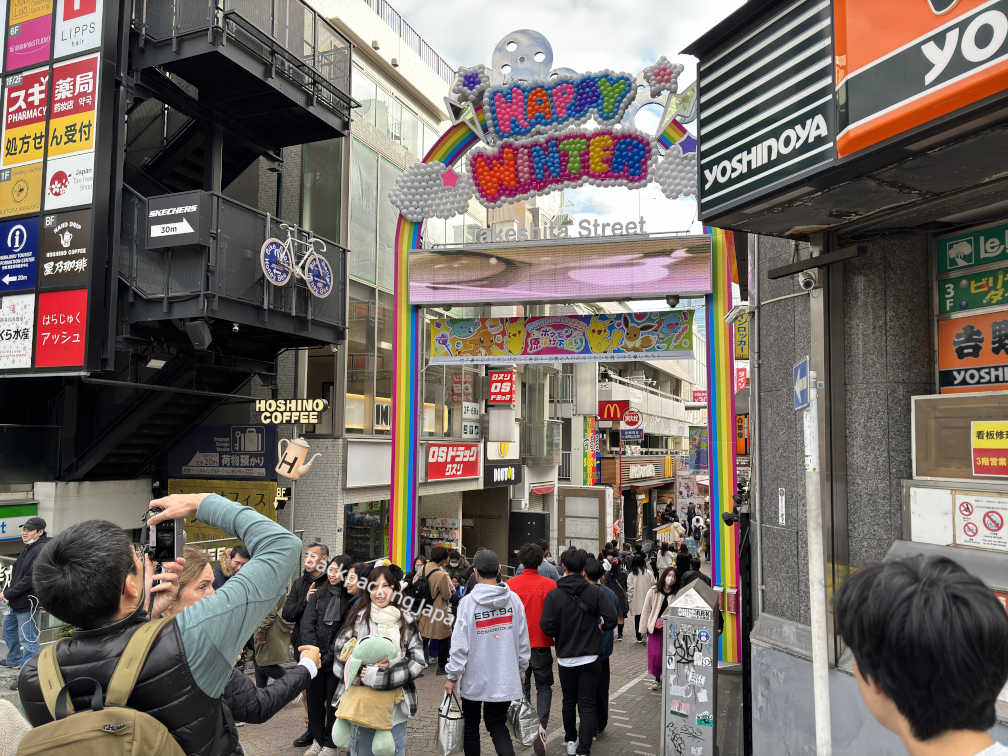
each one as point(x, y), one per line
point(571, 617)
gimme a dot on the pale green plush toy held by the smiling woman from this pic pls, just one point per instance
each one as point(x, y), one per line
point(364, 706)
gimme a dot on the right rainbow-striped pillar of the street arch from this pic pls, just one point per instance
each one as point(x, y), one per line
point(721, 426)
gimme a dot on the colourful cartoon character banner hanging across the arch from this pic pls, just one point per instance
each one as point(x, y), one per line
point(622, 337)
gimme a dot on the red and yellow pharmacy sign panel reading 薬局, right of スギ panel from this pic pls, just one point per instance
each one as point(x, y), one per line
point(75, 98)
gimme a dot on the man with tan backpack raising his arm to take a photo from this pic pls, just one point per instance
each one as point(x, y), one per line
point(160, 682)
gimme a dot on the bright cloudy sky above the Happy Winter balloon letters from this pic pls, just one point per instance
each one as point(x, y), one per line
point(465, 34)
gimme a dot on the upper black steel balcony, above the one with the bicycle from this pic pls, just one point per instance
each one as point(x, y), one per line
point(275, 70)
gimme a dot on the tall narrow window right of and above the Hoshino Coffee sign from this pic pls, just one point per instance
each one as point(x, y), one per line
point(360, 359)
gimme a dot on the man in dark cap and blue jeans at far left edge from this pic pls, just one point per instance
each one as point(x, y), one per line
point(21, 632)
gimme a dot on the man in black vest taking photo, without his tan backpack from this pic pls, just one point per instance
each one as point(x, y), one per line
point(91, 577)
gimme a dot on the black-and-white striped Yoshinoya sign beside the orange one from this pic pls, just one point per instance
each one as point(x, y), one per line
point(767, 108)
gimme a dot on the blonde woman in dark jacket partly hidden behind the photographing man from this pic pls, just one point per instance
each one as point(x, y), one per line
point(243, 701)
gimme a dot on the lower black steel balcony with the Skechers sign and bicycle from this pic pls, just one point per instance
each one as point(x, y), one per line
point(223, 280)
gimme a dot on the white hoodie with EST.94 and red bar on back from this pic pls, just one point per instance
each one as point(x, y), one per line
point(490, 649)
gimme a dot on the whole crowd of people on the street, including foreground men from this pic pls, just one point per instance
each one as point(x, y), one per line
point(361, 635)
